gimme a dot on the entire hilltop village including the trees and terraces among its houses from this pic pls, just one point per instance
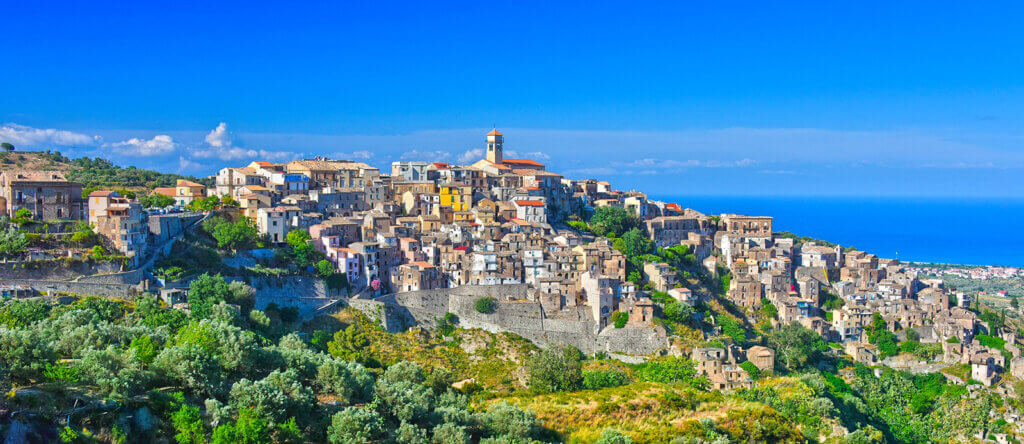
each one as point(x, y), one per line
point(504, 245)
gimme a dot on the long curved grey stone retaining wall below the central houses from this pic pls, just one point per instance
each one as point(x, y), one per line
point(514, 314)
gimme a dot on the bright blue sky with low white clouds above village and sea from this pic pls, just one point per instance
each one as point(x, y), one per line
point(866, 99)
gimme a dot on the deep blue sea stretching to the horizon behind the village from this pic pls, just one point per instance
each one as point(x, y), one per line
point(950, 231)
